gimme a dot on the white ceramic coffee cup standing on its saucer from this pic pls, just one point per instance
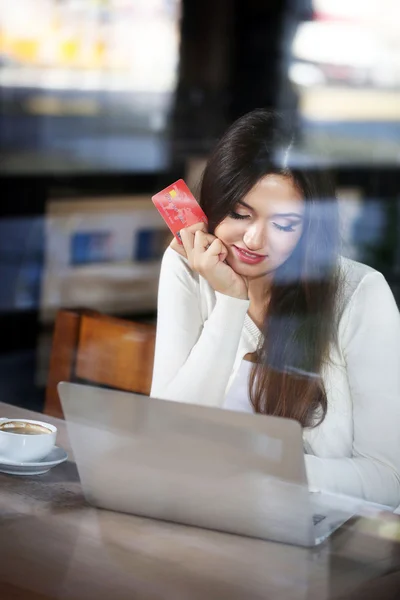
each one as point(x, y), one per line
point(19, 447)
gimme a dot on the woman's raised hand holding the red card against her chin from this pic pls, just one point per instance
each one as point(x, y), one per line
point(206, 254)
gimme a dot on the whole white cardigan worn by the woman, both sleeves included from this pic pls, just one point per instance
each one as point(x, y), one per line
point(202, 337)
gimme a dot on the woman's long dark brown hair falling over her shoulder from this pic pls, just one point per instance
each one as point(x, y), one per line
point(299, 324)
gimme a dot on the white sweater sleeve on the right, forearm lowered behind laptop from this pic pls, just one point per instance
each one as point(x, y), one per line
point(371, 347)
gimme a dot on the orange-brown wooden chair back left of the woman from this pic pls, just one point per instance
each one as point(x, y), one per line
point(90, 347)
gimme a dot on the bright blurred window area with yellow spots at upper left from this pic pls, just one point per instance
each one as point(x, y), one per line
point(78, 76)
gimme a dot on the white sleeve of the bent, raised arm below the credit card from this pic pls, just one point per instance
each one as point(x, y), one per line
point(193, 359)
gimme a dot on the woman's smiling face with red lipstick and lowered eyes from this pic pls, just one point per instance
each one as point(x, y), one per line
point(264, 227)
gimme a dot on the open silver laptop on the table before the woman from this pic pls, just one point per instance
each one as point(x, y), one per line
point(218, 469)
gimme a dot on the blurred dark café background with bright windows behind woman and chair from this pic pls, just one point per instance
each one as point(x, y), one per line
point(105, 102)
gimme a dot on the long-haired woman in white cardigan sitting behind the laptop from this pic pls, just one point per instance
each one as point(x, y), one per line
point(266, 283)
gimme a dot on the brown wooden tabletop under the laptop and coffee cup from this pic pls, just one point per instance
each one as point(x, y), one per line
point(54, 545)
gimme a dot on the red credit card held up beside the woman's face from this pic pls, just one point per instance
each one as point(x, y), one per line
point(178, 207)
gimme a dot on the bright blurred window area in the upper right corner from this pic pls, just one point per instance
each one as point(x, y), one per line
point(345, 67)
